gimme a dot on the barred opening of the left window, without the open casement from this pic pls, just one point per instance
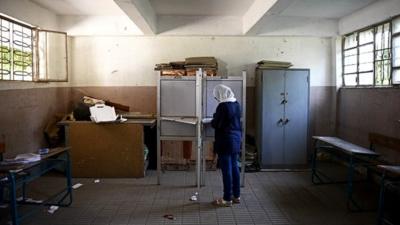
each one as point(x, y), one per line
point(16, 51)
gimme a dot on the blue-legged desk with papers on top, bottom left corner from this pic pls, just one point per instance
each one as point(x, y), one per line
point(17, 176)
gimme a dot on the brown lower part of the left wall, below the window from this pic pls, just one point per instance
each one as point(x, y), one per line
point(25, 113)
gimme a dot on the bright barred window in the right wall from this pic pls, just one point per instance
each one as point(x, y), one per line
point(369, 58)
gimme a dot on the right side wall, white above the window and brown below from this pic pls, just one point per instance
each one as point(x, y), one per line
point(364, 110)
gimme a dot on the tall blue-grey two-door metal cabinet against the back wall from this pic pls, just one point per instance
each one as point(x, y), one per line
point(282, 117)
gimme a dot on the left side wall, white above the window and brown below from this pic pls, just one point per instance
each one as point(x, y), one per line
point(26, 107)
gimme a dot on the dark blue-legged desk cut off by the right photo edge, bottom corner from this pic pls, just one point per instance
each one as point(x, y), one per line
point(390, 176)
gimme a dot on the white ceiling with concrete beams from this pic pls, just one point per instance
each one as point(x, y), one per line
point(212, 17)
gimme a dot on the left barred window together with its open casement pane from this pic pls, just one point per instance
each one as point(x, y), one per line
point(31, 54)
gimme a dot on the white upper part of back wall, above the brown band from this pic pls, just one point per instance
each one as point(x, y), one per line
point(129, 61)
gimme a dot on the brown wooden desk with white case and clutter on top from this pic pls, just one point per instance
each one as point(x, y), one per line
point(107, 150)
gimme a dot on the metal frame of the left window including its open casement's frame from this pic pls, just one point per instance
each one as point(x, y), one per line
point(35, 52)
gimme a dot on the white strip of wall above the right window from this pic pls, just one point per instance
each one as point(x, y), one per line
point(374, 13)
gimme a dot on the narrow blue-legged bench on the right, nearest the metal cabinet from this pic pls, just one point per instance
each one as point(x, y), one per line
point(353, 154)
